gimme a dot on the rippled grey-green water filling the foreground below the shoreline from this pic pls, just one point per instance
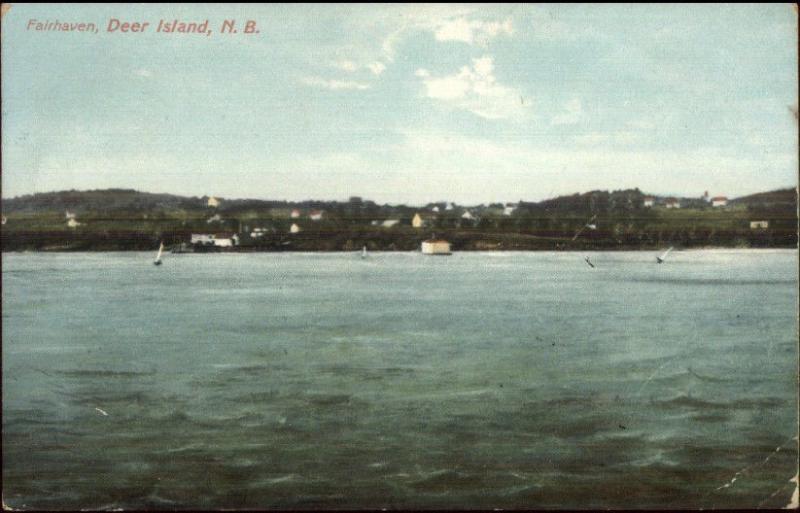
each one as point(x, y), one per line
point(481, 380)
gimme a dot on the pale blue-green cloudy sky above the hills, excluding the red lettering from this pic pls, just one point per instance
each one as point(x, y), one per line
point(403, 103)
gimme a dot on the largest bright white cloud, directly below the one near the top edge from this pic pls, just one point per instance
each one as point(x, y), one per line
point(475, 88)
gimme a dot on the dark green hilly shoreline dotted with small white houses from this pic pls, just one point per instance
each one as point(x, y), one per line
point(127, 219)
